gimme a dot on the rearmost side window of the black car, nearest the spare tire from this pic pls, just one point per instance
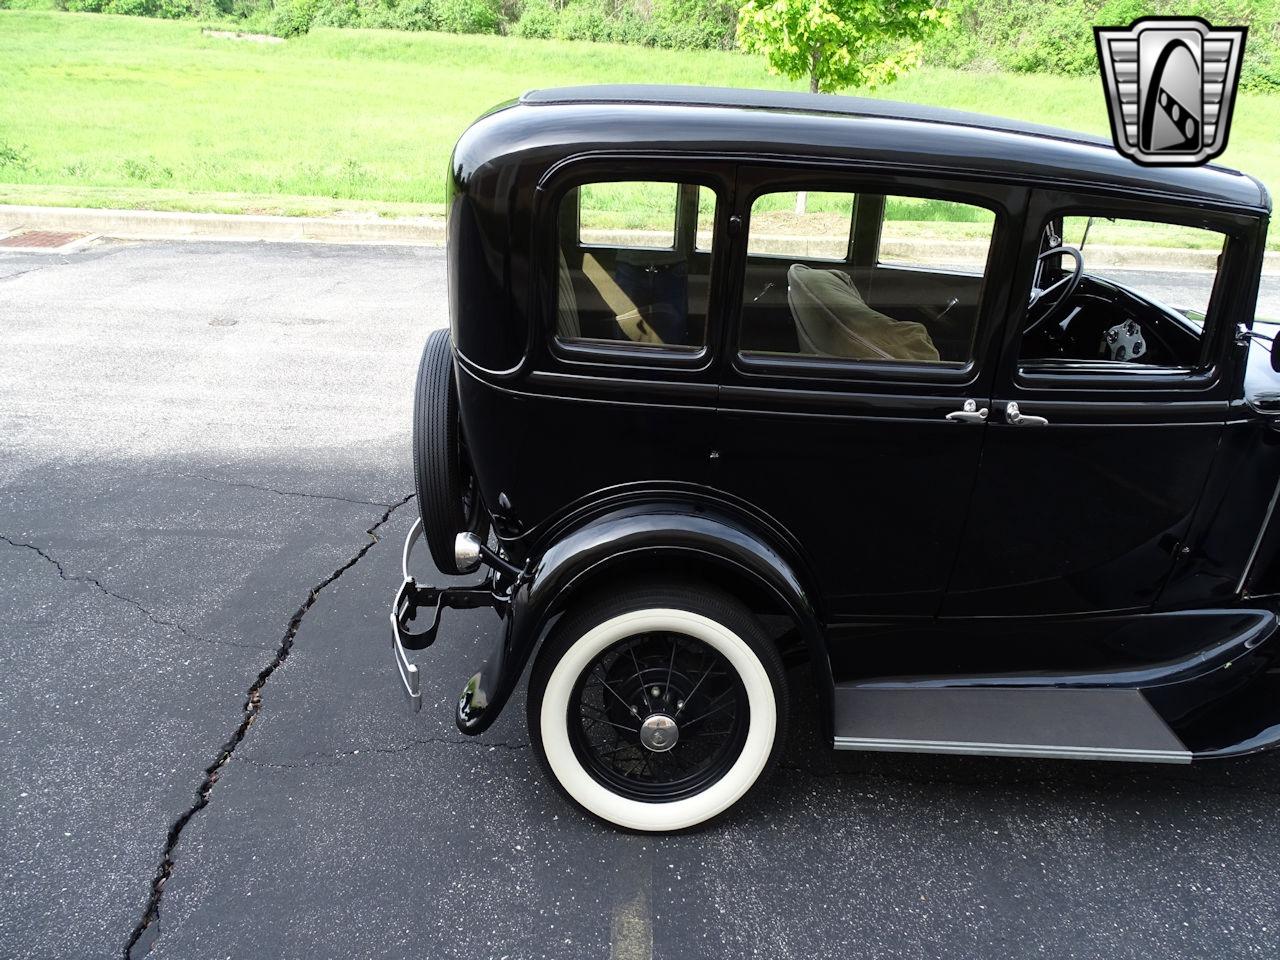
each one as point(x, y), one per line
point(634, 264)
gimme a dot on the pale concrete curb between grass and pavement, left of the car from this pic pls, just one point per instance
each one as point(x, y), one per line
point(158, 225)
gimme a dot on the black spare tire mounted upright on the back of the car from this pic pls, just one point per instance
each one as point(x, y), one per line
point(449, 497)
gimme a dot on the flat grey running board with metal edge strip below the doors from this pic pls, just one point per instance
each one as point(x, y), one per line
point(1071, 724)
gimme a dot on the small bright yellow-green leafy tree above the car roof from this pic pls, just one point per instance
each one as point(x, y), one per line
point(839, 44)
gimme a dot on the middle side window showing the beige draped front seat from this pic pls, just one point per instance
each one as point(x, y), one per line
point(811, 291)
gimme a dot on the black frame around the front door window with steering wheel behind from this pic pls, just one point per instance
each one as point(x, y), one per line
point(1107, 377)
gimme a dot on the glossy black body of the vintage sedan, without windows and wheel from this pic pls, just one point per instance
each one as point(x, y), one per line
point(900, 545)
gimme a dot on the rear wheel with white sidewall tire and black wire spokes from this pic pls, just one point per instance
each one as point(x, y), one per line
point(657, 708)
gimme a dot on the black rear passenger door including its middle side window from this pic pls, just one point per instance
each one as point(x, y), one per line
point(852, 419)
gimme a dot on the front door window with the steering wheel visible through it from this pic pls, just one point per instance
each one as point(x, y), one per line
point(1124, 294)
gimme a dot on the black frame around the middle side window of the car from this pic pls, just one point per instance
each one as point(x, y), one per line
point(1003, 200)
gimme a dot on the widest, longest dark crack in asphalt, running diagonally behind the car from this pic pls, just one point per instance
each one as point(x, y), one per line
point(148, 930)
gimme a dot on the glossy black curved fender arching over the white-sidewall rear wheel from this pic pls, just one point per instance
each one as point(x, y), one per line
point(647, 532)
